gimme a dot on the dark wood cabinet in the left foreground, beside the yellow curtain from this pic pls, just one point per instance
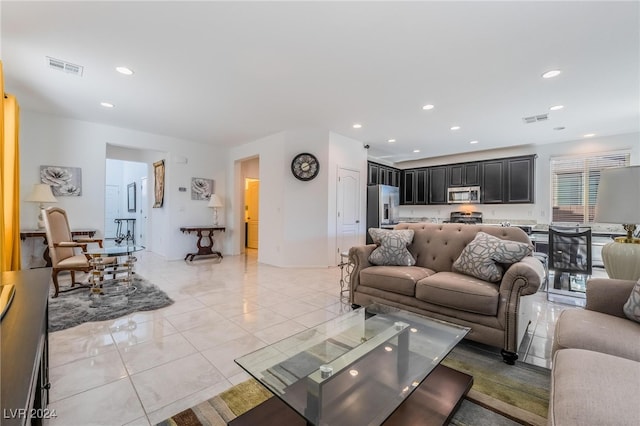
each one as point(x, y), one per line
point(25, 357)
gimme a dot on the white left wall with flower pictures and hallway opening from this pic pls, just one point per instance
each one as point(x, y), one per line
point(50, 140)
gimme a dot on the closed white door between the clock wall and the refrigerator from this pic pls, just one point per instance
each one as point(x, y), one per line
point(348, 207)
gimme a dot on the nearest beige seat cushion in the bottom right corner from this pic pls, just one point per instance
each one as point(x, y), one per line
point(590, 388)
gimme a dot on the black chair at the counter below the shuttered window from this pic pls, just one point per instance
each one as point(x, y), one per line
point(570, 257)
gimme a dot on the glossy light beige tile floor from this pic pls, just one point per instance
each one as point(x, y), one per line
point(145, 367)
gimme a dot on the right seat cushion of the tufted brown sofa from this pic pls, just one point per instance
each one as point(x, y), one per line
point(460, 292)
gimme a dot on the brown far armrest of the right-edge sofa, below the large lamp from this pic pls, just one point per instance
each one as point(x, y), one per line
point(608, 295)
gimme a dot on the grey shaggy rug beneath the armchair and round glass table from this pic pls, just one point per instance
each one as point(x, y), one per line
point(78, 306)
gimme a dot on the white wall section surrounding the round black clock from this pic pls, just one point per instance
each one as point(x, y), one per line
point(297, 219)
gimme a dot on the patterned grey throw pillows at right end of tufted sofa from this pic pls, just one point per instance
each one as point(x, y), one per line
point(481, 257)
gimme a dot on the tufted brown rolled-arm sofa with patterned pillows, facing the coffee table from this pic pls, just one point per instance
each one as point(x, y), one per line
point(471, 275)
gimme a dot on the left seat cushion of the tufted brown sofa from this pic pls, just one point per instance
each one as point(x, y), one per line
point(396, 279)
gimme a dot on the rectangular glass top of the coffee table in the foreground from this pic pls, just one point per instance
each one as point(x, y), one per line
point(358, 367)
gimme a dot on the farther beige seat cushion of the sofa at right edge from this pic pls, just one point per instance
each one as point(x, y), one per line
point(595, 331)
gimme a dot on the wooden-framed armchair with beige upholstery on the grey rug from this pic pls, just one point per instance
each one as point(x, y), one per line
point(62, 249)
